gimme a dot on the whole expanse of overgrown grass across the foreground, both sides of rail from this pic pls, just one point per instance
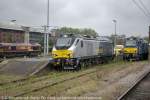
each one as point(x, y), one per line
point(73, 87)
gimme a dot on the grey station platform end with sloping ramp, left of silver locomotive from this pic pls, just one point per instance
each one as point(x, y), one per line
point(24, 66)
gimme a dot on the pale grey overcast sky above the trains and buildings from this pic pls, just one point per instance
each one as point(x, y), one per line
point(95, 14)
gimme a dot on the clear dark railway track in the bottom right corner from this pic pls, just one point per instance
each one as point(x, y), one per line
point(140, 90)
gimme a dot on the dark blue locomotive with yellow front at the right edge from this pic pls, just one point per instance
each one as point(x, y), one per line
point(135, 49)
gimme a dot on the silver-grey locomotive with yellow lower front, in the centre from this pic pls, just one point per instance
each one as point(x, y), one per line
point(77, 52)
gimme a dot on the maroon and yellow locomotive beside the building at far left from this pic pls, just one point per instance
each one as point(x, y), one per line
point(19, 49)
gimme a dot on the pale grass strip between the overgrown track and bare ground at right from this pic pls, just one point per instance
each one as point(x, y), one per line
point(78, 87)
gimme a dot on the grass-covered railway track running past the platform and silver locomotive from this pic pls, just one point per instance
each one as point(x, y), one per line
point(38, 84)
